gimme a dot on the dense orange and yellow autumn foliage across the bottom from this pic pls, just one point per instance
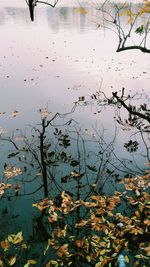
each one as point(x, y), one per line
point(94, 232)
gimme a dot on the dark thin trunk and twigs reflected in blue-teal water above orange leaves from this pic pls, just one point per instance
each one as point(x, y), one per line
point(58, 155)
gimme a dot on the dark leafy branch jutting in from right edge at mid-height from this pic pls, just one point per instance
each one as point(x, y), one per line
point(132, 116)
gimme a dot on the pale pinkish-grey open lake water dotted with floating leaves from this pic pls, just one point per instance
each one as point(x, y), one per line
point(60, 57)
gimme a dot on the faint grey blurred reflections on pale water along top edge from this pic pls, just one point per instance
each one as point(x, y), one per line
point(61, 17)
